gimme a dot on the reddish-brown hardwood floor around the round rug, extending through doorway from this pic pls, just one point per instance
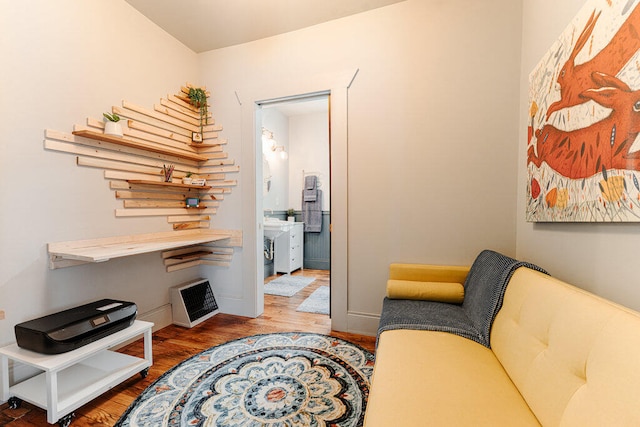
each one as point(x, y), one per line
point(173, 344)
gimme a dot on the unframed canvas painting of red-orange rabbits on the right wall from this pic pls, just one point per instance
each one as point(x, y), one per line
point(583, 154)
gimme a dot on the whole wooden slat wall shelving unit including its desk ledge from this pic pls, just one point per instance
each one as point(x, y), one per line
point(131, 162)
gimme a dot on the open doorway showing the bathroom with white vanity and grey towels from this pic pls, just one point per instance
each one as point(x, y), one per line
point(295, 198)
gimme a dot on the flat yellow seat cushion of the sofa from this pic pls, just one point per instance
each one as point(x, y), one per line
point(436, 378)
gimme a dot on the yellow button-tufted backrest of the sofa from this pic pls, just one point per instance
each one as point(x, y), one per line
point(574, 357)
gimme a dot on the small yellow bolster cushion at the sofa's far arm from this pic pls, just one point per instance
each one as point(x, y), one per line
point(452, 293)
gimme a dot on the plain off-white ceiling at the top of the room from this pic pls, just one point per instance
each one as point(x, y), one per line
point(204, 25)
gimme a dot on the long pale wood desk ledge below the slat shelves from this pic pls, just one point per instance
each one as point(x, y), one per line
point(66, 254)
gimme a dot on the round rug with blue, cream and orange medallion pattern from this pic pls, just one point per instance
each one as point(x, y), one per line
point(274, 380)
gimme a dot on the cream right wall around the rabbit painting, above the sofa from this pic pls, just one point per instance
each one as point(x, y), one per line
point(601, 258)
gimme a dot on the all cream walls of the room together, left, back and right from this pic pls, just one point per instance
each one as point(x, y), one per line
point(433, 161)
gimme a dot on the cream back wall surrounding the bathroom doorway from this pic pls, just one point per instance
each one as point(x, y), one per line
point(432, 122)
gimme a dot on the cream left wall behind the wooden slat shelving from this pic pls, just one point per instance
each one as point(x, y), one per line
point(64, 61)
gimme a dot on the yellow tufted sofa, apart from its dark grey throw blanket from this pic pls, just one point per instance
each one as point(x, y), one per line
point(556, 356)
